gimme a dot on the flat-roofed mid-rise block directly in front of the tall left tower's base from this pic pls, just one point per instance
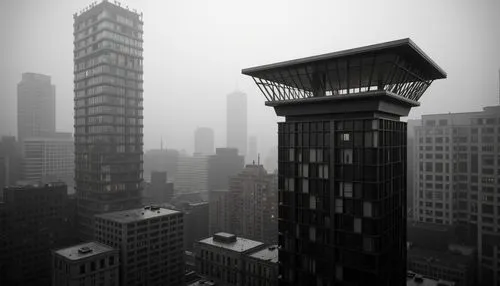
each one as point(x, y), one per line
point(150, 241)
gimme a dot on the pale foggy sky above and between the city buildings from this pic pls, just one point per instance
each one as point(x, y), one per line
point(194, 52)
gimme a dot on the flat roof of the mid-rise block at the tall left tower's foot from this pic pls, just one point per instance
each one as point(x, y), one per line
point(135, 215)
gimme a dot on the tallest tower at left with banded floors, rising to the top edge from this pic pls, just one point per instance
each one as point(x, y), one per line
point(108, 110)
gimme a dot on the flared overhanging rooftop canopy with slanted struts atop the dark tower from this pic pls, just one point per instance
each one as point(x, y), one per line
point(398, 67)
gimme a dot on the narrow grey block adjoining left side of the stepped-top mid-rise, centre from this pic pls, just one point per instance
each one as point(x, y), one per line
point(218, 211)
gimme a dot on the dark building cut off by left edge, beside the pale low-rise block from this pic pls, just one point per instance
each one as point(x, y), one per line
point(10, 162)
